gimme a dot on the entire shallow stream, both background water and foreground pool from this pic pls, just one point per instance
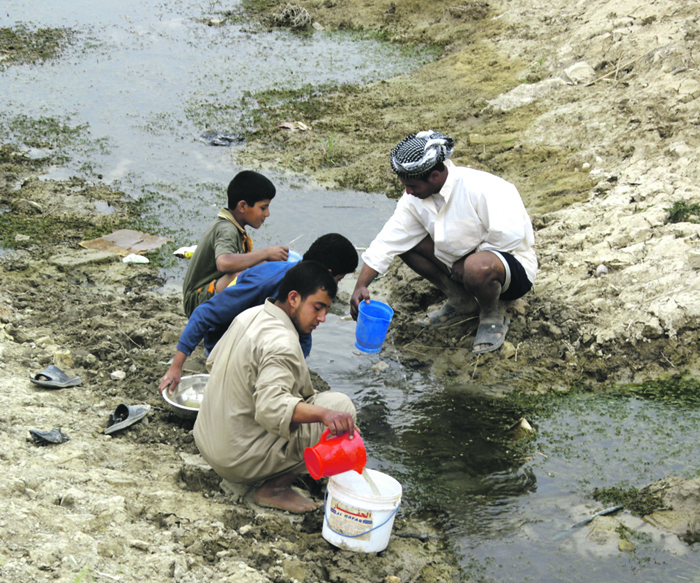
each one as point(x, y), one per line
point(138, 81)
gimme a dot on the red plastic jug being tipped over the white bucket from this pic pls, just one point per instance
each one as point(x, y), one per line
point(335, 455)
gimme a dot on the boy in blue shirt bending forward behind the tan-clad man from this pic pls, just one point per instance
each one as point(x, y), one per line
point(211, 319)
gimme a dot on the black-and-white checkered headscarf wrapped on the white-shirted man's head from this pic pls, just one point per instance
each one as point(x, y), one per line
point(418, 153)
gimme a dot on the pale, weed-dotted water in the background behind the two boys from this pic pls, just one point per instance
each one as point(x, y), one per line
point(142, 81)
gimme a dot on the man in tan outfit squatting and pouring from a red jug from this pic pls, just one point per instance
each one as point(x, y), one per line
point(260, 410)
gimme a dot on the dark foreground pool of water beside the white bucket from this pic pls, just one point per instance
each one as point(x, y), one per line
point(501, 502)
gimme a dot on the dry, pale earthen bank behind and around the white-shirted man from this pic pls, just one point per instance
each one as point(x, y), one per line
point(592, 111)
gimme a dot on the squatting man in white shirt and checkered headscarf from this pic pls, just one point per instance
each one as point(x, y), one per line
point(464, 230)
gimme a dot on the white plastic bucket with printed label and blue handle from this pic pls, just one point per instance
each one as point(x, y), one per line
point(357, 519)
